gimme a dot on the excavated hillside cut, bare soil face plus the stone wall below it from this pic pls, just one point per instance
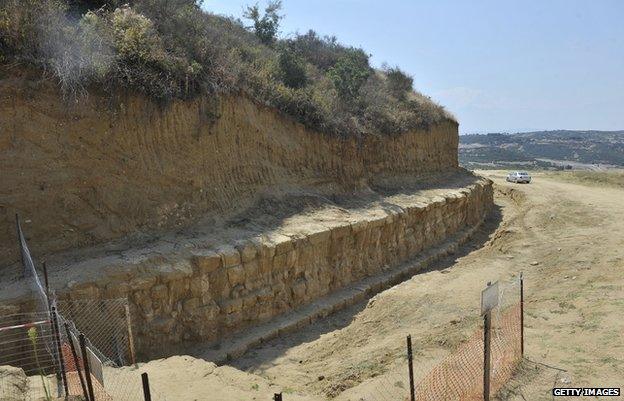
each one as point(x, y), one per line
point(213, 226)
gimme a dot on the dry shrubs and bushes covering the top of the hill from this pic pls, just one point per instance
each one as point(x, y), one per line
point(171, 49)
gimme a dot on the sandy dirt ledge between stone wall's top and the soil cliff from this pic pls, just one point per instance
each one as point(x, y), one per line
point(271, 219)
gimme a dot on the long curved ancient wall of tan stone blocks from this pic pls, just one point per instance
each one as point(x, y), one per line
point(209, 294)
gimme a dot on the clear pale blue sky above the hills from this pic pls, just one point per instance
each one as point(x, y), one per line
point(497, 66)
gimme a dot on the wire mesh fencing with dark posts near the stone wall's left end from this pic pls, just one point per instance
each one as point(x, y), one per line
point(76, 350)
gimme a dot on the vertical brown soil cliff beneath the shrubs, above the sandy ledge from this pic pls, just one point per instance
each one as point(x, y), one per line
point(100, 168)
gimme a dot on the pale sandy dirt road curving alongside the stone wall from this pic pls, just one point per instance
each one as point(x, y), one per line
point(568, 239)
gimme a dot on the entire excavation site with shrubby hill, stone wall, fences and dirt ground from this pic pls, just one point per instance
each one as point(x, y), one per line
point(196, 209)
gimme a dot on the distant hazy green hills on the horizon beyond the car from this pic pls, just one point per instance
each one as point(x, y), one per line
point(543, 149)
